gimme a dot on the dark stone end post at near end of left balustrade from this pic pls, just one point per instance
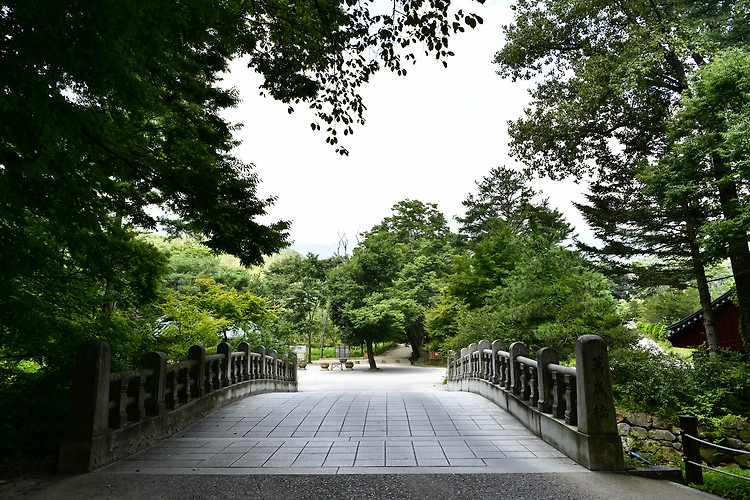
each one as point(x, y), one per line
point(88, 418)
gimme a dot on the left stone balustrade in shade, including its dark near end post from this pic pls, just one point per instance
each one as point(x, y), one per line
point(115, 414)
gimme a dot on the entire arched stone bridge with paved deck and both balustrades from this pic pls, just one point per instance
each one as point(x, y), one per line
point(341, 422)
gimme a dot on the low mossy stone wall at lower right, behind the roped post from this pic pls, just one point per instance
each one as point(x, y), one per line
point(658, 440)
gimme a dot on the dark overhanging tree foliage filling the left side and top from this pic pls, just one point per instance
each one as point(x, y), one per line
point(111, 120)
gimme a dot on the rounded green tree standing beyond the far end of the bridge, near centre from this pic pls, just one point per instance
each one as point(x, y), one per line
point(386, 288)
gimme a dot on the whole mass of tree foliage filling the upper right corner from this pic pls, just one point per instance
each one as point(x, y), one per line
point(620, 96)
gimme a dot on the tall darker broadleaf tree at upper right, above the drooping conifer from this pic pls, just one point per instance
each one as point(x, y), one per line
point(611, 75)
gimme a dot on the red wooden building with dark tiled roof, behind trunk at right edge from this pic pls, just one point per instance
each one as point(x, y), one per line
point(689, 331)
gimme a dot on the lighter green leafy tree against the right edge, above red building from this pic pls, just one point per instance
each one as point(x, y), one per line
point(710, 136)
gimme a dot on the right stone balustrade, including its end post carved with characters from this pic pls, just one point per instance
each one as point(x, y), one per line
point(570, 408)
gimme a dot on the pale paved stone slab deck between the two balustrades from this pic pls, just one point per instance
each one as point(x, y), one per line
point(332, 431)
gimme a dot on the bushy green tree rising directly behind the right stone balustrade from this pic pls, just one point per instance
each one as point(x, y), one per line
point(550, 299)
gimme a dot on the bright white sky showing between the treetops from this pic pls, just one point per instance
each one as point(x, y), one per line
point(428, 136)
